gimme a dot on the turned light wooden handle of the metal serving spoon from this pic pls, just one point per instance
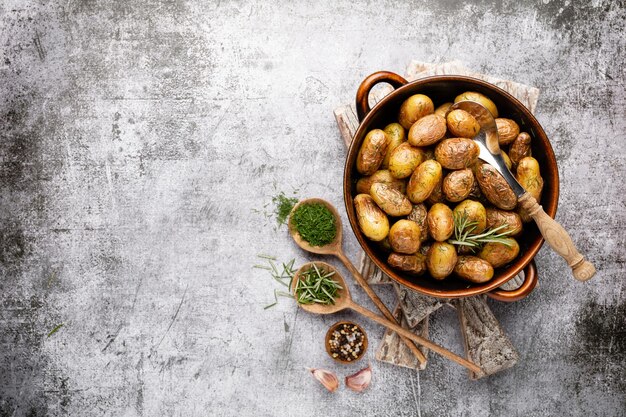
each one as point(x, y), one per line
point(558, 238)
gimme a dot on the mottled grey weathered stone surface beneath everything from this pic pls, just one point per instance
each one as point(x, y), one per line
point(136, 138)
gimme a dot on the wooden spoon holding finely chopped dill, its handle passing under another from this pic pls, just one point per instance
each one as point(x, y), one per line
point(335, 248)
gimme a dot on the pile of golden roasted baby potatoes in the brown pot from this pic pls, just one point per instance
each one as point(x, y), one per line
point(422, 179)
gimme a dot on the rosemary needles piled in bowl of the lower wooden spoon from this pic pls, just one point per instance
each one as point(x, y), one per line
point(317, 286)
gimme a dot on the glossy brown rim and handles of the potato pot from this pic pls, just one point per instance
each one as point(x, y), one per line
point(549, 201)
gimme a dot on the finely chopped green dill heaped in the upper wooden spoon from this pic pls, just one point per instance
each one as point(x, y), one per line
point(315, 223)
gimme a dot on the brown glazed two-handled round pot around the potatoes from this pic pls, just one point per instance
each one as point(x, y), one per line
point(440, 89)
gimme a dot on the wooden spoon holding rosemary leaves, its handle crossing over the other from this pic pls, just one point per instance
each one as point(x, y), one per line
point(344, 301)
